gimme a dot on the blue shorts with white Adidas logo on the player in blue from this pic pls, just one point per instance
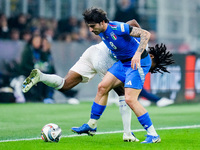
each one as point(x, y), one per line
point(131, 78)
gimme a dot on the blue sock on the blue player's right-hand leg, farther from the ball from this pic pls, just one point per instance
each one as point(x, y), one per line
point(145, 121)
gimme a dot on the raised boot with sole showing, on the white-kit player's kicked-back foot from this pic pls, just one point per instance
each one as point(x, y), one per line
point(31, 80)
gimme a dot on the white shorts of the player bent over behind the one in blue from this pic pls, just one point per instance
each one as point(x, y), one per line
point(97, 59)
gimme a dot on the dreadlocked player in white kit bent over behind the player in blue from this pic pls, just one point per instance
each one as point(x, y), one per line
point(95, 60)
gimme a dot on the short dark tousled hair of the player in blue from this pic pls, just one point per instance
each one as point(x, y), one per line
point(95, 15)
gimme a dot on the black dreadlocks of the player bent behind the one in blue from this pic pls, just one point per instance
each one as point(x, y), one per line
point(162, 58)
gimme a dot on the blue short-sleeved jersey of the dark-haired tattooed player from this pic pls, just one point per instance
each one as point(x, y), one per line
point(117, 38)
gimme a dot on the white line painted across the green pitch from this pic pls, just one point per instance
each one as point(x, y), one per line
point(111, 132)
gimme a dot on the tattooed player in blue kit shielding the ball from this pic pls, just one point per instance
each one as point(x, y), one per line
point(128, 45)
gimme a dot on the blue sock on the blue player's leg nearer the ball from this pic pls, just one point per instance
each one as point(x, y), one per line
point(97, 111)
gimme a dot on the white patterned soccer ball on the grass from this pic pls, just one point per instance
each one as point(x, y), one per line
point(51, 133)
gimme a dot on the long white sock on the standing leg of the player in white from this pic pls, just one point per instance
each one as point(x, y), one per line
point(125, 113)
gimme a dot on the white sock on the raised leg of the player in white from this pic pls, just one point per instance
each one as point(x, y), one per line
point(52, 80)
